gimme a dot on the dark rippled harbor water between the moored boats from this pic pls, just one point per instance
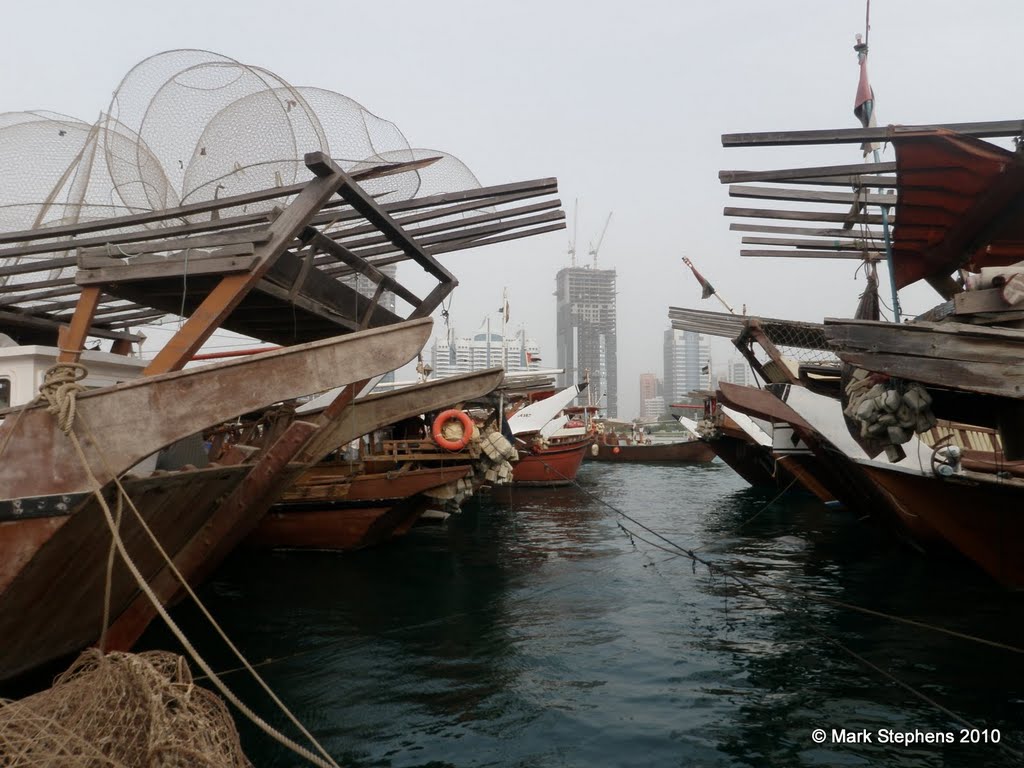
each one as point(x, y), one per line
point(534, 631)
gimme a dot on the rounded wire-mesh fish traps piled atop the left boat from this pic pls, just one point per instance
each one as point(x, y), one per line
point(191, 126)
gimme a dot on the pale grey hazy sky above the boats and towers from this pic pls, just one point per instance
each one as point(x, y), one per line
point(625, 104)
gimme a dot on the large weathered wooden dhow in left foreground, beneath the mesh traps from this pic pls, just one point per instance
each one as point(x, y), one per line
point(271, 266)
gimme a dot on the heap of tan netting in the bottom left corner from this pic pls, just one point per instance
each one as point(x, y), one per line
point(121, 710)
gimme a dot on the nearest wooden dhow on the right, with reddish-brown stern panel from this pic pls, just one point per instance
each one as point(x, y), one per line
point(954, 201)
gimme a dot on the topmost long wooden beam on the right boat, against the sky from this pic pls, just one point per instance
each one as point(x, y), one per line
point(989, 130)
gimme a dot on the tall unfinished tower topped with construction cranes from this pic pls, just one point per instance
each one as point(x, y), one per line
point(586, 332)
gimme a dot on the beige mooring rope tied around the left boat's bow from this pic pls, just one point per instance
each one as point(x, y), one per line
point(61, 392)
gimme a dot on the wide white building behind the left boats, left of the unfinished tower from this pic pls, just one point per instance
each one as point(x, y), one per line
point(453, 356)
